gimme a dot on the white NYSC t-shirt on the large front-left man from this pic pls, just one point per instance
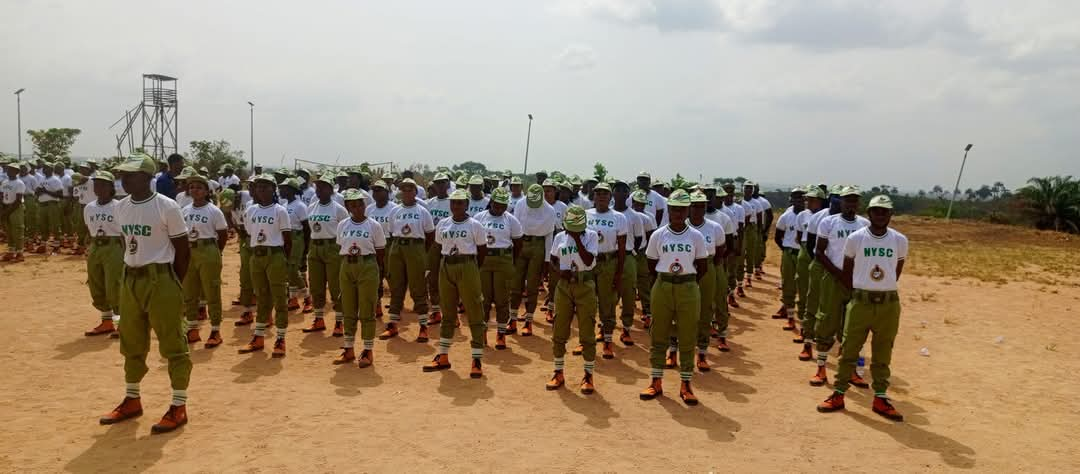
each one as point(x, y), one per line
point(147, 228)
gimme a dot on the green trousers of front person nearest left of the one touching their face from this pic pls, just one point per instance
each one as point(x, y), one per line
point(461, 282)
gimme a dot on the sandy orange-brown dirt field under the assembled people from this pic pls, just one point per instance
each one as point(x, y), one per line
point(997, 394)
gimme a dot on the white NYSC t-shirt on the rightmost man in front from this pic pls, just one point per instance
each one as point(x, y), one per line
point(876, 259)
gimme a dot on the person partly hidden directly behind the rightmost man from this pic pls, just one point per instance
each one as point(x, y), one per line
point(832, 233)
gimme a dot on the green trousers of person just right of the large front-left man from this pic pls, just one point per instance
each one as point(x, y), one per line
point(204, 282)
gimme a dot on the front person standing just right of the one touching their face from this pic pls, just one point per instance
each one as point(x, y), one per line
point(679, 256)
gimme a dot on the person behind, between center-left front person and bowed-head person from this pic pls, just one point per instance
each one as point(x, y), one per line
point(504, 246)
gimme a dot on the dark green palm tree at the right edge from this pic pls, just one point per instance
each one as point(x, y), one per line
point(1055, 201)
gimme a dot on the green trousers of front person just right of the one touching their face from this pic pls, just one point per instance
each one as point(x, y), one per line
point(679, 306)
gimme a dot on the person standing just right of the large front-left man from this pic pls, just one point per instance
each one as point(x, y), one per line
point(208, 233)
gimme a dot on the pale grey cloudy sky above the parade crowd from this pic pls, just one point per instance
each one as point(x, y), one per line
point(781, 91)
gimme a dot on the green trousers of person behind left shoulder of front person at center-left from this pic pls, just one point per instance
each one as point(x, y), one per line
point(407, 263)
